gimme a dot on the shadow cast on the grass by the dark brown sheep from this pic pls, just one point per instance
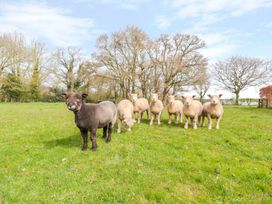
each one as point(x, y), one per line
point(70, 141)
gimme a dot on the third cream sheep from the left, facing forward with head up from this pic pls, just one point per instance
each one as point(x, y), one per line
point(156, 108)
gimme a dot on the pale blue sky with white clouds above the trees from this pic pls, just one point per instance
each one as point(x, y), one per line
point(229, 27)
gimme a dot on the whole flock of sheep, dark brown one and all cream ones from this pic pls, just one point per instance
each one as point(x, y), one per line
point(90, 117)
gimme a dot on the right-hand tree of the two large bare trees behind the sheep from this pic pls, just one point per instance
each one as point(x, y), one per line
point(179, 61)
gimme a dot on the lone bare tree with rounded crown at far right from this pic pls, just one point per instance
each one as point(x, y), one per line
point(238, 73)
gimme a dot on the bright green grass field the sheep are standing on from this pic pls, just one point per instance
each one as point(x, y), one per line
point(41, 160)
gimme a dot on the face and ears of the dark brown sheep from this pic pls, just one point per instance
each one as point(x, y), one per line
point(74, 100)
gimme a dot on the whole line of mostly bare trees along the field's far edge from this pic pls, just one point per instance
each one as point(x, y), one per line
point(124, 62)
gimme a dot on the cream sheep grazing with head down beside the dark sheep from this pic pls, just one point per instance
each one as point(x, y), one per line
point(125, 114)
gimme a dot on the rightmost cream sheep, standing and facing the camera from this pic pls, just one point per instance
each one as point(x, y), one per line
point(212, 109)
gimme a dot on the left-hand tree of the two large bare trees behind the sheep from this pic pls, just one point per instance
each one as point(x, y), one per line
point(123, 54)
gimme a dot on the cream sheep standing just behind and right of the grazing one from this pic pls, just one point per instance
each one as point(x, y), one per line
point(140, 105)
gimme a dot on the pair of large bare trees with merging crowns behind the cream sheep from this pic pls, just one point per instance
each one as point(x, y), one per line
point(139, 63)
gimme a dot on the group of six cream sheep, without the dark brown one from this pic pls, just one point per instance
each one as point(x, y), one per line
point(190, 107)
